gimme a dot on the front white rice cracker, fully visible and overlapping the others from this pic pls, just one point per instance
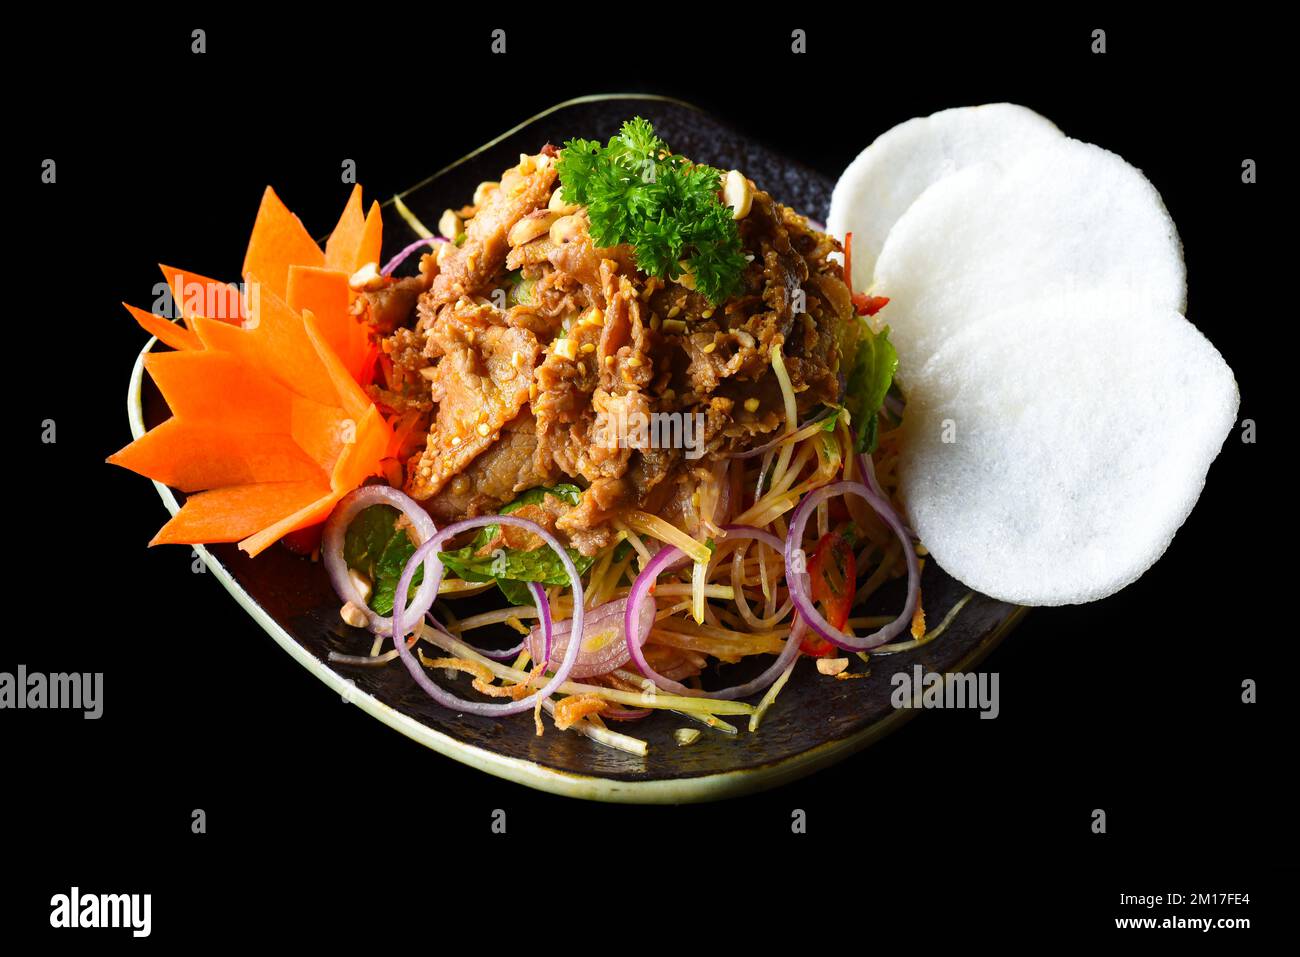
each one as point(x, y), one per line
point(1052, 451)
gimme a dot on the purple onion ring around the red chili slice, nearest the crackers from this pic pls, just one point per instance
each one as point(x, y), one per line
point(798, 578)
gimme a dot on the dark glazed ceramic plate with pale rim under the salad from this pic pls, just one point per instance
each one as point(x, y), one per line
point(816, 720)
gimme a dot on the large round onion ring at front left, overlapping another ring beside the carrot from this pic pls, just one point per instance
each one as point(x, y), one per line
point(430, 553)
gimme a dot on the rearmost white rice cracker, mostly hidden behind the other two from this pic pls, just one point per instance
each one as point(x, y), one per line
point(902, 163)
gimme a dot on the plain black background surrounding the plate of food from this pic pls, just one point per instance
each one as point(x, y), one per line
point(322, 817)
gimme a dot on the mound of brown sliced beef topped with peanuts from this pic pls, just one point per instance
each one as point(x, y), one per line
point(562, 379)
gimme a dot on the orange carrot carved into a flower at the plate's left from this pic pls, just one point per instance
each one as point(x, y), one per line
point(271, 425)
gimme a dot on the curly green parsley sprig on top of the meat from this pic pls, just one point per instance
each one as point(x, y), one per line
point(668, 209)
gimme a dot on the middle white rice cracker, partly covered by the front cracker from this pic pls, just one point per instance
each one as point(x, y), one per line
point(1068, 216)
